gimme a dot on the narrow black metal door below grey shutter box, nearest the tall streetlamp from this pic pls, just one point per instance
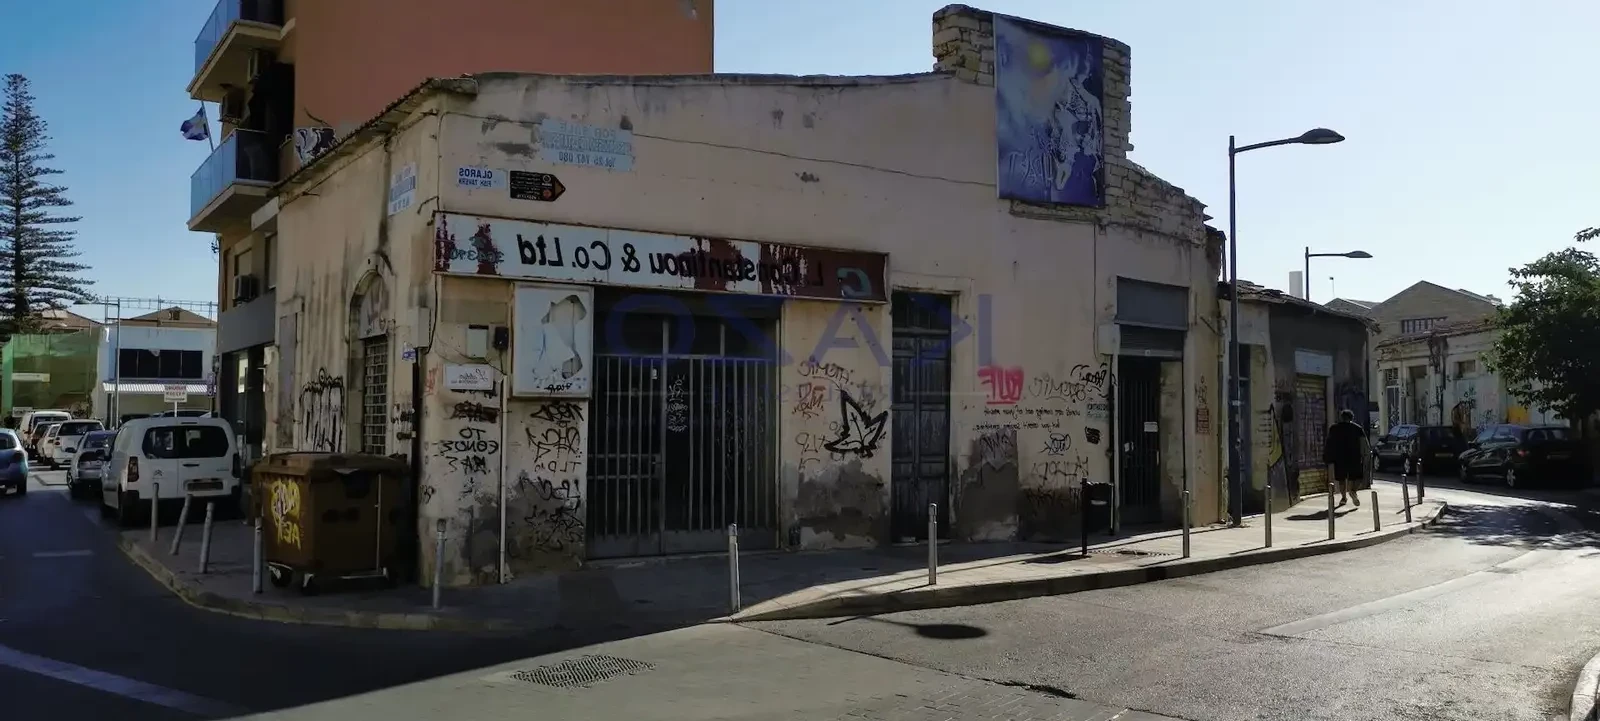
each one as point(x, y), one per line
point(1140, 413)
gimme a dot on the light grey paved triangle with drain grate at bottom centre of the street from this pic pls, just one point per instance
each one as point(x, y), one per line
point(713, 672)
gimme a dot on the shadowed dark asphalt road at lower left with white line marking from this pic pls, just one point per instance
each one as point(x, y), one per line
point(84, 634)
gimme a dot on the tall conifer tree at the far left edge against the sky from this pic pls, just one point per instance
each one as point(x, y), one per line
point(36, 250)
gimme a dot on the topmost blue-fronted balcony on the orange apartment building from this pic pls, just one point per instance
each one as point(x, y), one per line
point(226, 44)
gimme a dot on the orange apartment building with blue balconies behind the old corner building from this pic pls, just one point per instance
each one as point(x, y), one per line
point(290, 78)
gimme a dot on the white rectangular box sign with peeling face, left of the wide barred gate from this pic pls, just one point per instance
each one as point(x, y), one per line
point(553, 330)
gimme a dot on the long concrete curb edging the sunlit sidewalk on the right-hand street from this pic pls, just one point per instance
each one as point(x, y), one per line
point(970, 596)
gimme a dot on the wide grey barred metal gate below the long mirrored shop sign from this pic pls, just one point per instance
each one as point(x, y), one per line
point(682, 442)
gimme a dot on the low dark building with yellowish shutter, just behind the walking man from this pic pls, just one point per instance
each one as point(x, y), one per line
point(1302, 364)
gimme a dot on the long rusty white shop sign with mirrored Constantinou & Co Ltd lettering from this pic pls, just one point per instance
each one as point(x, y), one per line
point(524, 250)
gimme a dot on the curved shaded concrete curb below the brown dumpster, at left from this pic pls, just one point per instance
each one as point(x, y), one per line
point(311, 616)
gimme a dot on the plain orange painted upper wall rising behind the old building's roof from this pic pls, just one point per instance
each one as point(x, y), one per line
point(356, 57)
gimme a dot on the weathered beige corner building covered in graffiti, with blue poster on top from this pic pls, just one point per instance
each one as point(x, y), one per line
point(614, 316)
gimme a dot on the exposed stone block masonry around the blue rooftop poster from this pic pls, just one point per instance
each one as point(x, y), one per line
point(964, 46)
